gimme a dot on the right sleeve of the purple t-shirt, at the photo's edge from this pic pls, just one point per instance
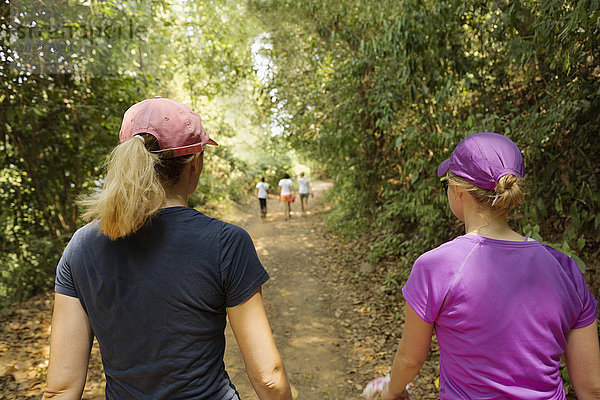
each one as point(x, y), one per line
point(589, 305)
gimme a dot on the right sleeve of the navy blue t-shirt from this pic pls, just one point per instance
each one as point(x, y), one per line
point(241, 270)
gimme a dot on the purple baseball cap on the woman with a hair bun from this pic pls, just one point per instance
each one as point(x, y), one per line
point(483, 158)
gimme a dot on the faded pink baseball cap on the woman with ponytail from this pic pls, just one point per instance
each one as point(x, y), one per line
point(175, 126)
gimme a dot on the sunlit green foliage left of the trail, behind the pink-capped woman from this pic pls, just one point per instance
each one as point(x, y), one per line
point(61, 114)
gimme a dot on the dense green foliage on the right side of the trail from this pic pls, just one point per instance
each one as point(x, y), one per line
point(381, 91)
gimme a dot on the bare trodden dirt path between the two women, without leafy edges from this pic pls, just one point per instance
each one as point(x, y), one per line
point(305, 328)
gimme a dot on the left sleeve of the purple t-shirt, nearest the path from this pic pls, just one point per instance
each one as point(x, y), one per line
point(428, 284)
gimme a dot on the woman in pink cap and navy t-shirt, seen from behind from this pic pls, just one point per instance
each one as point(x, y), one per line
point(155, 281)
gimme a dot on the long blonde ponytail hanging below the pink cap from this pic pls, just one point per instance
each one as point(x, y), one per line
point(132, 192)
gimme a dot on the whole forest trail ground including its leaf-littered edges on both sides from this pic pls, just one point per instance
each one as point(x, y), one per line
point(324, 321)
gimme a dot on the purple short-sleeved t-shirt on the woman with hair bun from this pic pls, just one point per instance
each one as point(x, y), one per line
point(501, 311)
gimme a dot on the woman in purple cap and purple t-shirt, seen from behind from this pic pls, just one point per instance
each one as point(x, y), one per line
point(504, 307)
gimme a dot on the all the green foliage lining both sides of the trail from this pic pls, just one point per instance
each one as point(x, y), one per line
point(374, 93)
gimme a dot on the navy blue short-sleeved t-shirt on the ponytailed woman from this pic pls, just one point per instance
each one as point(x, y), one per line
point(157, 301)
